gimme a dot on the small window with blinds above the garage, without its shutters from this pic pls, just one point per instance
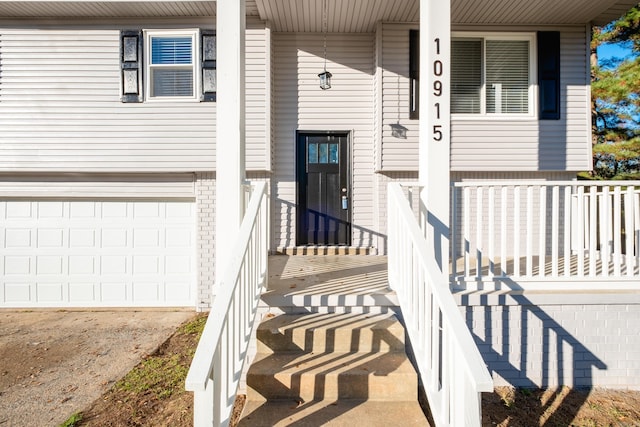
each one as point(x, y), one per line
point(171, 65)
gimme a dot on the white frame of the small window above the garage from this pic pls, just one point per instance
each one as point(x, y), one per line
point(194, 33)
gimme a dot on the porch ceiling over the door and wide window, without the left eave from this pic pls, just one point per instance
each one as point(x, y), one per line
point(362, 15)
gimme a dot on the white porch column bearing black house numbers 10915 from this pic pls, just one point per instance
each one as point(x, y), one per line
point(435, 126)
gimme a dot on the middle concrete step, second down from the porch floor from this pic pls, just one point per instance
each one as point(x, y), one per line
point(316, 376)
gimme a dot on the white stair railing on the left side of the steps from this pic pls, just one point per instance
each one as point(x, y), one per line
point(219, 358)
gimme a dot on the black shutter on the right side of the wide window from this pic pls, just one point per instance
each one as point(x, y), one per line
point(549, 74)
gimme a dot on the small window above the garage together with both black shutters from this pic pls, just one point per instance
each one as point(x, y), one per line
point(178, 65)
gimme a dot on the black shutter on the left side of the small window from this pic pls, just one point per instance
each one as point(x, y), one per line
point(131, 66)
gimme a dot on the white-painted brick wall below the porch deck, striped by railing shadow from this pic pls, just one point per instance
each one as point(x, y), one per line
point(587, 345)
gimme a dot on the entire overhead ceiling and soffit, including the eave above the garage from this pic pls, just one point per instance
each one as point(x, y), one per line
point(342, 15)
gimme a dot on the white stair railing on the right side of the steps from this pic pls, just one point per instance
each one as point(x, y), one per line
point(451, 368)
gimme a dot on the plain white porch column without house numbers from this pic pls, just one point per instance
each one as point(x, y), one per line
point(230, 127)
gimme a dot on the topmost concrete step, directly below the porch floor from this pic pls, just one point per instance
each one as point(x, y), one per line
point(319, 333)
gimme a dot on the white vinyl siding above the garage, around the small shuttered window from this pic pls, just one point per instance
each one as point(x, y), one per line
point(60, 108)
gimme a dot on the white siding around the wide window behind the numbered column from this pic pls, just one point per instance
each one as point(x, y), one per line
point(492, 143)
